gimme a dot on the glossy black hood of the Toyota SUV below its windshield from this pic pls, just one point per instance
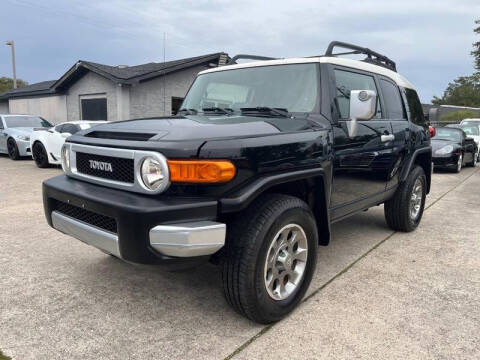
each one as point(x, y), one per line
point(198, 127)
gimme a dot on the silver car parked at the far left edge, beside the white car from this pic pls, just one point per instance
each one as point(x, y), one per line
point(15, 131)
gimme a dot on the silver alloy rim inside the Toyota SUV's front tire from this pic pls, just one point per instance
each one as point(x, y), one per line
point(286, 261)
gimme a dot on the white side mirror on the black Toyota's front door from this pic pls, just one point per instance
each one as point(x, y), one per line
point(362, 107)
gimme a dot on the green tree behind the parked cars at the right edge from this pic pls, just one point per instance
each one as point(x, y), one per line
point(464, 91)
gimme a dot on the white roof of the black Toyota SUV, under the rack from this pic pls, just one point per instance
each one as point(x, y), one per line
point(354, 64)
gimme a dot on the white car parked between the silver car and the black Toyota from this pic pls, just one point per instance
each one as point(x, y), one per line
point(46, 144)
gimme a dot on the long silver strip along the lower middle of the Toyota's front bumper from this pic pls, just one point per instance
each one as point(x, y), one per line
point(89, 234)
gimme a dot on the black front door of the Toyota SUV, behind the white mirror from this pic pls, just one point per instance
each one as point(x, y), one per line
point(362, 162)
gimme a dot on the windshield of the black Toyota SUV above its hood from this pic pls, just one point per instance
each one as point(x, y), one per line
point(293, 88)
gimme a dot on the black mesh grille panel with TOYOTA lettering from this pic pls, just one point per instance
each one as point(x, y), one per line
point(106, 167)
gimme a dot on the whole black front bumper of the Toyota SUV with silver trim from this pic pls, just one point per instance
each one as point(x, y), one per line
point(137, 228)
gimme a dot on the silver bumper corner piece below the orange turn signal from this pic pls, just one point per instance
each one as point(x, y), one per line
point(188, 239)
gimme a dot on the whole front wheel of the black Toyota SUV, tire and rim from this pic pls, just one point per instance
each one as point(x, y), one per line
point(270, 257)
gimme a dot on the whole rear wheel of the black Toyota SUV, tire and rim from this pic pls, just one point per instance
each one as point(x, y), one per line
point(404, 211)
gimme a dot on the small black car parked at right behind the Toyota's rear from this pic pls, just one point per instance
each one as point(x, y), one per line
point(452, 149)
